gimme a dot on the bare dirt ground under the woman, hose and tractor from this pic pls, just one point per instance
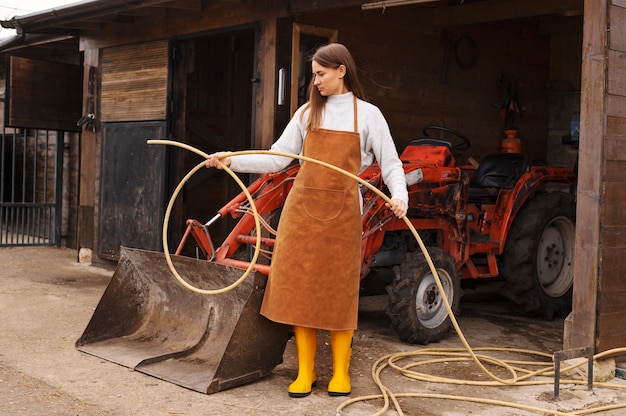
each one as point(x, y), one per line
point(47, 299)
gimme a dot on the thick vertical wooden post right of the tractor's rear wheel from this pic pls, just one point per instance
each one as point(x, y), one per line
point(590, 168)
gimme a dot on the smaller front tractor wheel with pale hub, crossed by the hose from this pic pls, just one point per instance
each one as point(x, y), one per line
point(416, 308)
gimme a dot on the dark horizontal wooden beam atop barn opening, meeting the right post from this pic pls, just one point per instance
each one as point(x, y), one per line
point(496, 10)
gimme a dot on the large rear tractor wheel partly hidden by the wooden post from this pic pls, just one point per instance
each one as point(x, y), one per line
point(538, 263)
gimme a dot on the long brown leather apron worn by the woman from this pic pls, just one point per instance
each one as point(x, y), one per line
point(315, 269)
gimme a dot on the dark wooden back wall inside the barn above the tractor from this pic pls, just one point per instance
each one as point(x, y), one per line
point(419, 74)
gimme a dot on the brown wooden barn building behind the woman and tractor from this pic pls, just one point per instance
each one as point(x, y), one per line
point(90, 82)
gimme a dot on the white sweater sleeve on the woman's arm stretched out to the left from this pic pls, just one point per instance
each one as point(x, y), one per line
point(290, 141)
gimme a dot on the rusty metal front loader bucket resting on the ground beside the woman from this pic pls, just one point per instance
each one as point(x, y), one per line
point(148, 321)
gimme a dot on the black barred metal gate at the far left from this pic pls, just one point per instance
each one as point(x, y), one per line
point(31, 182)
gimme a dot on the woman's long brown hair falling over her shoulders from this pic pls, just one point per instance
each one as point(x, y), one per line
point(331, 56)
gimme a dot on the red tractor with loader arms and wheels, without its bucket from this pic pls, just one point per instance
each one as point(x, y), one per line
point(497, 220)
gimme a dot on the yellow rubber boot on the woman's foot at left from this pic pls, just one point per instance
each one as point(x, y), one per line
point(306, 345)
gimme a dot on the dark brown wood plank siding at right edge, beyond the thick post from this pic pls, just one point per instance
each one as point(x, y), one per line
point(611, 332)
